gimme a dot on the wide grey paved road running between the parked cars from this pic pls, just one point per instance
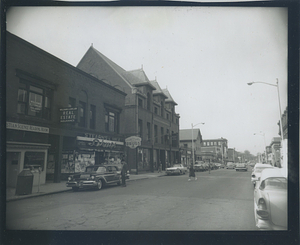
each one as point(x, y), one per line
point(222, 200)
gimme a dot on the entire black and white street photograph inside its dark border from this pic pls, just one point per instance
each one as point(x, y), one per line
point(147, 118)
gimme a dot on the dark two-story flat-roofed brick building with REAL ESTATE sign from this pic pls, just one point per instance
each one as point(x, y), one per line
point(59, 118)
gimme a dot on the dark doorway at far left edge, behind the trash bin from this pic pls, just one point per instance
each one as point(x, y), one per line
point(12, 168)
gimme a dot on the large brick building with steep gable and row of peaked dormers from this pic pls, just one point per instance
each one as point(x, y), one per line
point(149, 112)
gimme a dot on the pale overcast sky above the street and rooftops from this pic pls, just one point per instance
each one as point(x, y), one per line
point(204, 56)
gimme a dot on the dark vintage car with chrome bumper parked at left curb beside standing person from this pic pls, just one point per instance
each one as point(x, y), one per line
point(95, 176)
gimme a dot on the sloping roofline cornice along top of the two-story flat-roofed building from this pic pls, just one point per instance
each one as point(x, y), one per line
point(32, 46)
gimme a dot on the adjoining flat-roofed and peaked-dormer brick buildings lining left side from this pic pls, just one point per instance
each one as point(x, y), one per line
point(59, 118)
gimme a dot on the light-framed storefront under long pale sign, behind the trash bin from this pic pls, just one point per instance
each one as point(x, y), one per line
point(26, 148)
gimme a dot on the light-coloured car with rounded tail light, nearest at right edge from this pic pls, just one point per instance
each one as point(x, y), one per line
point(270, 200)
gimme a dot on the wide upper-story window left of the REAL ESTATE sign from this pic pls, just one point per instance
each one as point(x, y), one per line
point(34, 101)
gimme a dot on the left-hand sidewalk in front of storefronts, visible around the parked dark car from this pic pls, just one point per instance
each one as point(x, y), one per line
point(50, 187)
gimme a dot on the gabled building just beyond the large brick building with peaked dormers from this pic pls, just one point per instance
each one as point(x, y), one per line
point(185, 137)
